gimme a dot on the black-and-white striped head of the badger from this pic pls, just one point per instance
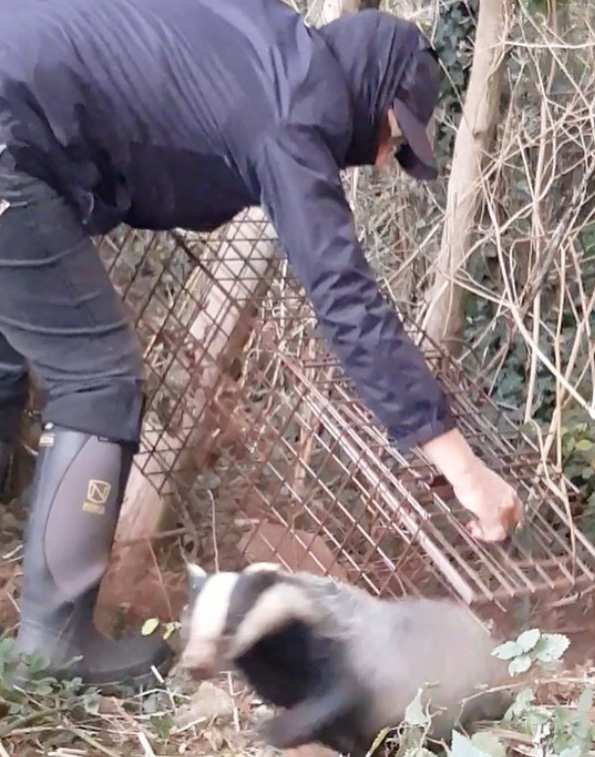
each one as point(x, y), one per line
point(229, 612)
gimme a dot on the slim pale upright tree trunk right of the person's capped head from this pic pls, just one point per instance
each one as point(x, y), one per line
point(443, 320)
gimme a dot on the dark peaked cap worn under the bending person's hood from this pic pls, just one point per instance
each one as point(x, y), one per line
point(413, 107)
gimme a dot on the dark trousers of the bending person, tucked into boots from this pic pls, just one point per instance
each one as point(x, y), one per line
point(61, 318)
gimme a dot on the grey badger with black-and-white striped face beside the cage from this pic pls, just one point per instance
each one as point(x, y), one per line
point(343, 665)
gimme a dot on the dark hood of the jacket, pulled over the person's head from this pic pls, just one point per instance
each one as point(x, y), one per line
point(374, 50)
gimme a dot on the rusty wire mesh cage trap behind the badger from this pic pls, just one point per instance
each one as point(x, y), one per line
point(257, 420)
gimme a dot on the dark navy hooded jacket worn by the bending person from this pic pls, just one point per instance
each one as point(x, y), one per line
point(165, 113)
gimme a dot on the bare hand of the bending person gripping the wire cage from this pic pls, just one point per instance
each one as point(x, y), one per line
point(496, 506)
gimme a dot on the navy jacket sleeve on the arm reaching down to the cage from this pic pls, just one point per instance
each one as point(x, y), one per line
point(302, 194)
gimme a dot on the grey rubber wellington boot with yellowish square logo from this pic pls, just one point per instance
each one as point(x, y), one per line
point(76, 497)
